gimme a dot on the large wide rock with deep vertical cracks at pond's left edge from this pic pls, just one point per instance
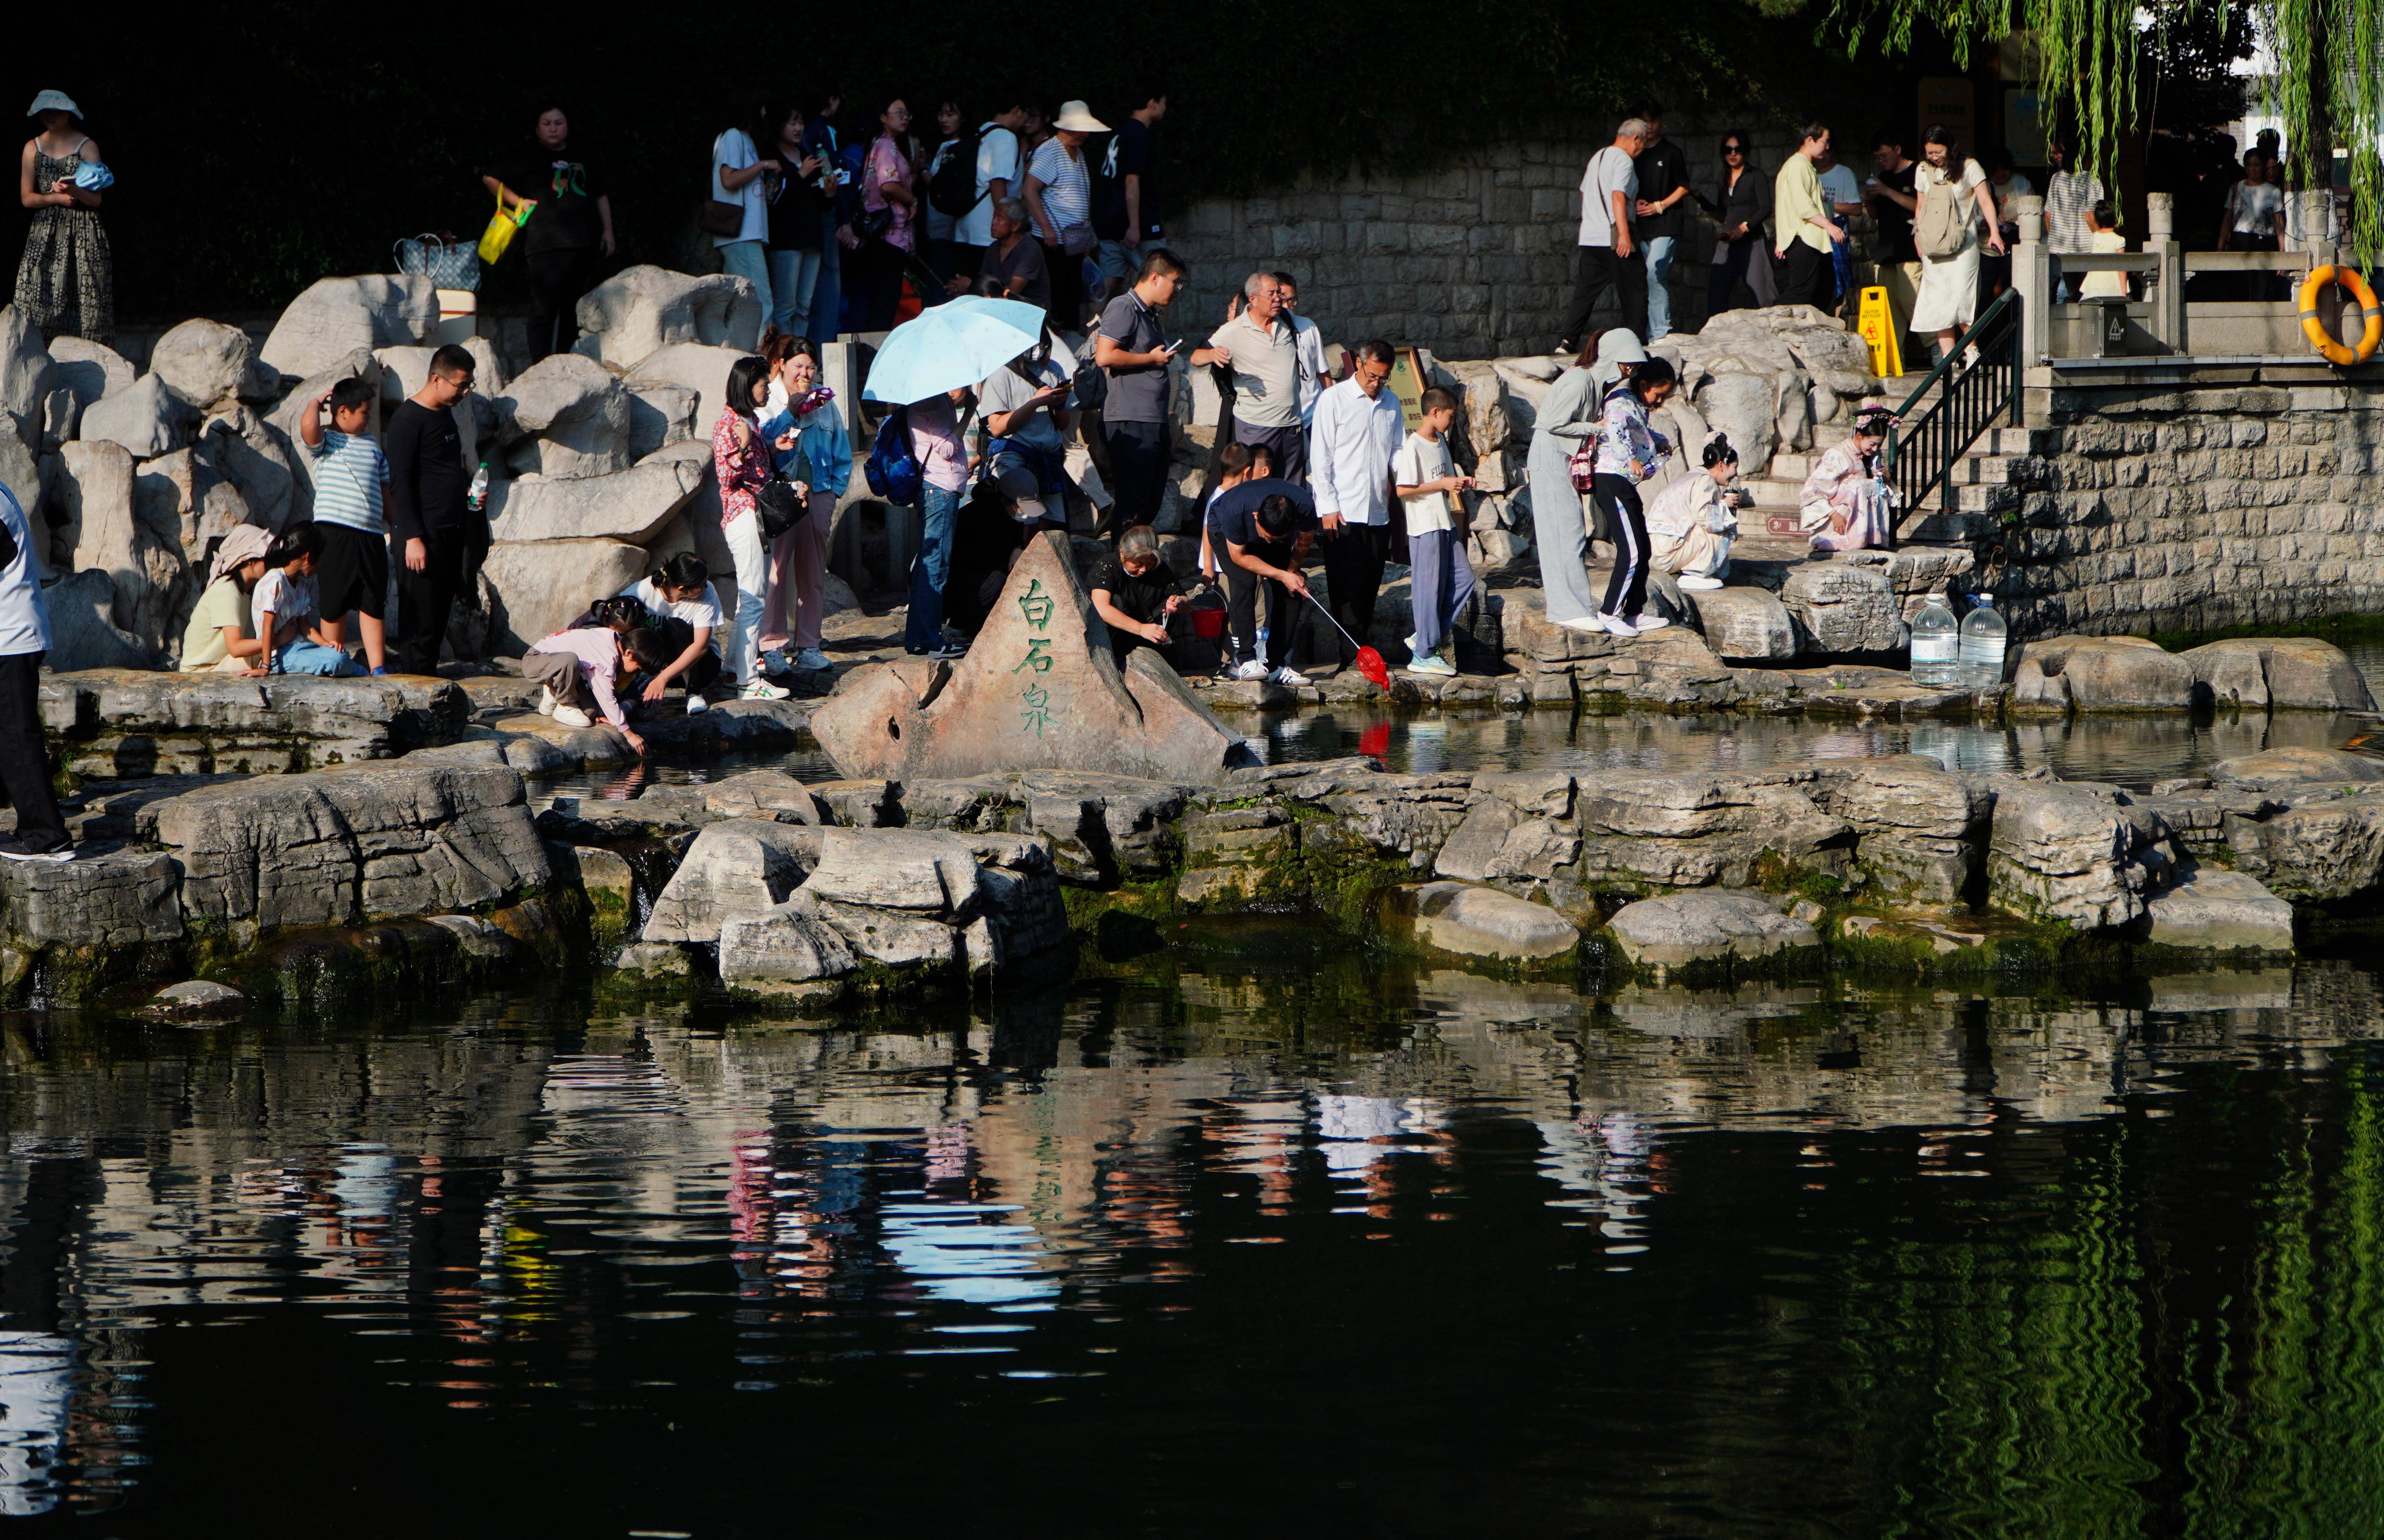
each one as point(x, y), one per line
point(342, 845)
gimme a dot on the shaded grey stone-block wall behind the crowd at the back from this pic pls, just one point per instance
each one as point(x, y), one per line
point(1475, 261)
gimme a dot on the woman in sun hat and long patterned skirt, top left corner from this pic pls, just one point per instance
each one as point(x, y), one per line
point(66, 282)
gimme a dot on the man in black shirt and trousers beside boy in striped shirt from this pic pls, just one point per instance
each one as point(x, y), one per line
point(430, 526)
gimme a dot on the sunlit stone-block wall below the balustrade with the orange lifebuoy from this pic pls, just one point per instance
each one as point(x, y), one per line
point(2187, 509)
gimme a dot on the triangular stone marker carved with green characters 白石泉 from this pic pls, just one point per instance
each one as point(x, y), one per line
point(1038, 690)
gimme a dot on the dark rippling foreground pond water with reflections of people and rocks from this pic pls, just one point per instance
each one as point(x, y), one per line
point(1255, 1236)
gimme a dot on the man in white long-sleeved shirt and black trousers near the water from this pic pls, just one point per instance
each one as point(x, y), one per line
point(1358, 435)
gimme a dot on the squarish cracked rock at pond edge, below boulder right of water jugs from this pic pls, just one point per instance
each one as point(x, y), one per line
point(2068, 852)
